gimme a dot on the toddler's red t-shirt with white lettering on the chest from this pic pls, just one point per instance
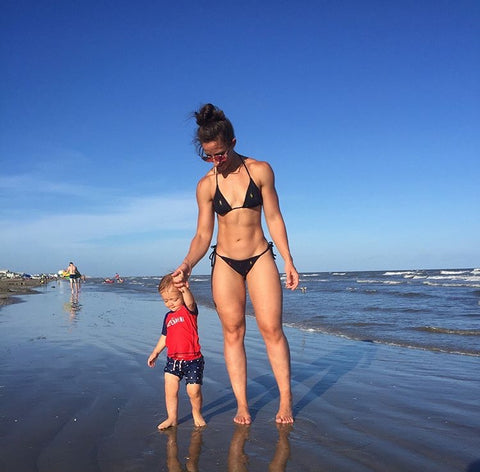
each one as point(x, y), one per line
point(181, 329)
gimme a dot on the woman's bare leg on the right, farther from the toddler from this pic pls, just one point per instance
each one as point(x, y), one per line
point(265, 290)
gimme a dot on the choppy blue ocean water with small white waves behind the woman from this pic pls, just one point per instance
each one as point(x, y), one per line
point(435, 310)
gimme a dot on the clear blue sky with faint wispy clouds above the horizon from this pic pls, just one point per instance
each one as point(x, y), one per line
point(368, 112)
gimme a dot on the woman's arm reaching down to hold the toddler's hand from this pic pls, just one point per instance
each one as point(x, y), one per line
point(203, 235)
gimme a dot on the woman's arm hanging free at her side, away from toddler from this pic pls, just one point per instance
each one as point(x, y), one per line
point(275, 222)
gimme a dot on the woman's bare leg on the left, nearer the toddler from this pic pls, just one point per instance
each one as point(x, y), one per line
point(228, 288)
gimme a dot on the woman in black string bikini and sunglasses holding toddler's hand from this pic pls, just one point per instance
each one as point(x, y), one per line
point(236, 188)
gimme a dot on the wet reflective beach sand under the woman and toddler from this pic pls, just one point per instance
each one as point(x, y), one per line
point(76, 394)
